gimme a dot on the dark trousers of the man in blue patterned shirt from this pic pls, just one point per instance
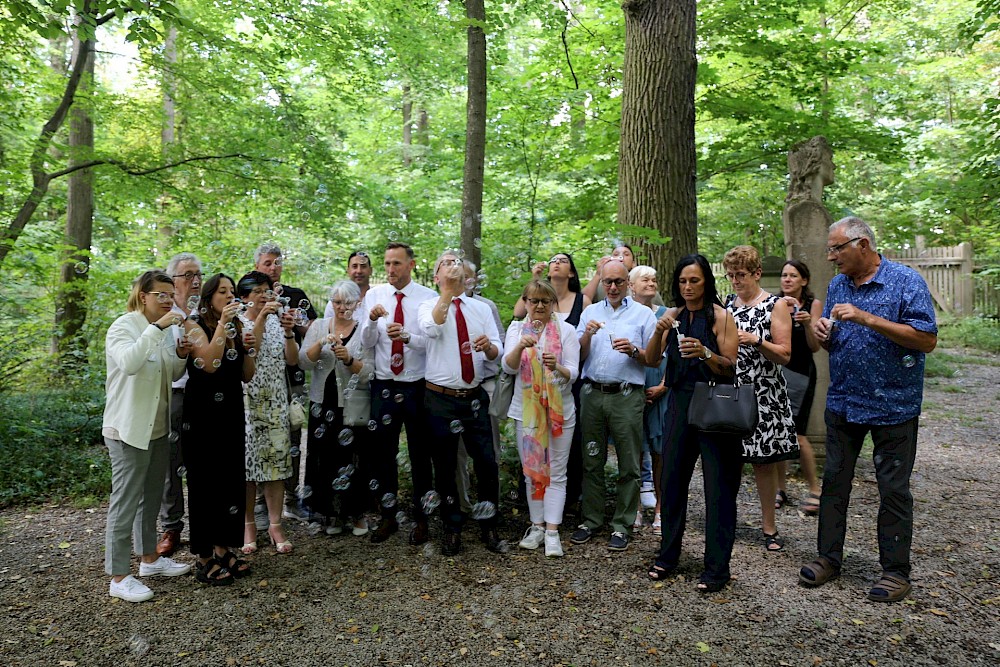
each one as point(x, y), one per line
point(894, 453)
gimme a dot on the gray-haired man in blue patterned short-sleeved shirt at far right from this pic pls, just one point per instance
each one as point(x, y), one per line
point(877, 324)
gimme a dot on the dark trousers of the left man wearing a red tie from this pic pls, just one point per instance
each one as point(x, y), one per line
point(409, 412)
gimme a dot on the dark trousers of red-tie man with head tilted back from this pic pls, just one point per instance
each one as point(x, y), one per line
point(477, 434)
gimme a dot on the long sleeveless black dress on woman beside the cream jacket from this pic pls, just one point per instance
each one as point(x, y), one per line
point(213, 448)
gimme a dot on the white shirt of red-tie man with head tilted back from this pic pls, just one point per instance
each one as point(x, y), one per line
point(444, 359)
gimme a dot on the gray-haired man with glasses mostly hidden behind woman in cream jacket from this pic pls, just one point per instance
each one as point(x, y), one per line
point(185, 269)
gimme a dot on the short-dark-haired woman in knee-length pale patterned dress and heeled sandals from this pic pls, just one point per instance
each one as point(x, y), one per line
point(268, 447)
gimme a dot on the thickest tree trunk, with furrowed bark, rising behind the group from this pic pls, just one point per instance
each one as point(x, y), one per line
point(657, 170)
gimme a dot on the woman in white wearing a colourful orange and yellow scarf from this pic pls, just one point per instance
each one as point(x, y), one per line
point(543, 353)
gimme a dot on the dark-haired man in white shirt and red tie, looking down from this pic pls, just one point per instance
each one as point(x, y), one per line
point(397, 390)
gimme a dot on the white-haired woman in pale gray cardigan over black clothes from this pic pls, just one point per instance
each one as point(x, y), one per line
point(336, 462)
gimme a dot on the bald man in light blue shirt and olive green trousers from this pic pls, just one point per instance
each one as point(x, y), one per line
point(613, 335)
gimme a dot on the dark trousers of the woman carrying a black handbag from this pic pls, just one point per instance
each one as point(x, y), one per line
point(722, 466)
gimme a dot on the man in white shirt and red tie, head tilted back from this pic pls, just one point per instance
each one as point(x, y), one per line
point(461, 335)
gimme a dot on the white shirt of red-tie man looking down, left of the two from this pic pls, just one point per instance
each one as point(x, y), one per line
point(373, 334)
